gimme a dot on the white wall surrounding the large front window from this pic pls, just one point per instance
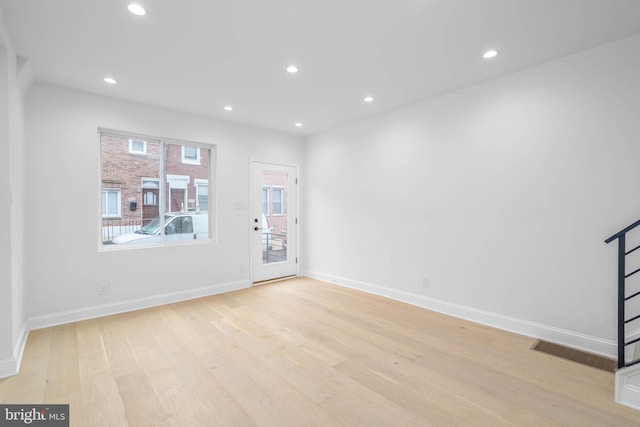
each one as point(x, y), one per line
point(65, 266)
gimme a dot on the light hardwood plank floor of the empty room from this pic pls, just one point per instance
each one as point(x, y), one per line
point(305, 353)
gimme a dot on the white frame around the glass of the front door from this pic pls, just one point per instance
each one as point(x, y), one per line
point(296, 188)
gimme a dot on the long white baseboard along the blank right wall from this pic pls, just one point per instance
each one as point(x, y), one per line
point(572, 339)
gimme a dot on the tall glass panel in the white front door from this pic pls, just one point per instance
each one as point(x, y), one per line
point(275, 217)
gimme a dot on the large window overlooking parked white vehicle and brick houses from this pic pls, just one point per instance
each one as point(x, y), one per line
point(159, 198)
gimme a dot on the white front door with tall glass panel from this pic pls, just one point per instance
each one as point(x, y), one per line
point(274, 222)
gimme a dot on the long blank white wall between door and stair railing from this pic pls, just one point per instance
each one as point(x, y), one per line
point(500, 194)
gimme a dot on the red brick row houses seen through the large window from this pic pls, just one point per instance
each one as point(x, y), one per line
point(132, 182)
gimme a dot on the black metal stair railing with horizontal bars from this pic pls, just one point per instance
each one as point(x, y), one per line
point(621, 236)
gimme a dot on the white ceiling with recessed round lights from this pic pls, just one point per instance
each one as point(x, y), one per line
point(197, 56)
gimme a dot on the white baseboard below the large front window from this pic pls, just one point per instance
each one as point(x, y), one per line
point(60, 318)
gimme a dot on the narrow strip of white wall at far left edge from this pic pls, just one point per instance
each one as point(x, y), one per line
point(12, 303)
